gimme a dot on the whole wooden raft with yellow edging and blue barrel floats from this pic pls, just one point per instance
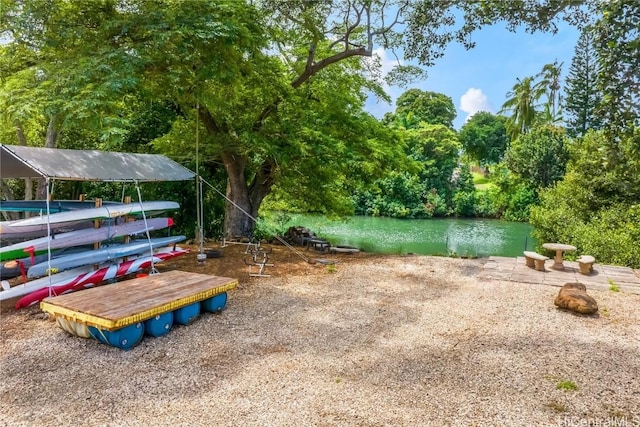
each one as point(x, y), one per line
point(121, 314)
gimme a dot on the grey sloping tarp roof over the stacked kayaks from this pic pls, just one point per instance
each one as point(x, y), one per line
point(88, 165)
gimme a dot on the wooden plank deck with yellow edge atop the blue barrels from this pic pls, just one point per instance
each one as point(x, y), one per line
point(124, 303)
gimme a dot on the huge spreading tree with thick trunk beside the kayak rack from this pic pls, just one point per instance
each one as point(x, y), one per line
point(257, 76)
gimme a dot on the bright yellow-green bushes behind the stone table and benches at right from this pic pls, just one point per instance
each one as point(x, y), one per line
point(594, 207)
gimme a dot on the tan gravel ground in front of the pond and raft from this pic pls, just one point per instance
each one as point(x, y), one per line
point(380, 341)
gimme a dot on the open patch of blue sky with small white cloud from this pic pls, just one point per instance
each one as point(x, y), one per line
point(479, 79)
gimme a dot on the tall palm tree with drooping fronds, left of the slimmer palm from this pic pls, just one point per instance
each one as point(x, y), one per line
point(521, 103)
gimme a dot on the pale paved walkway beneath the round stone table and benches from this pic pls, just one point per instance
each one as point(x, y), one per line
point(602, 278)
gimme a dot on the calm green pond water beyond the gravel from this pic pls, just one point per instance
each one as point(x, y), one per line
point(463, 237)
